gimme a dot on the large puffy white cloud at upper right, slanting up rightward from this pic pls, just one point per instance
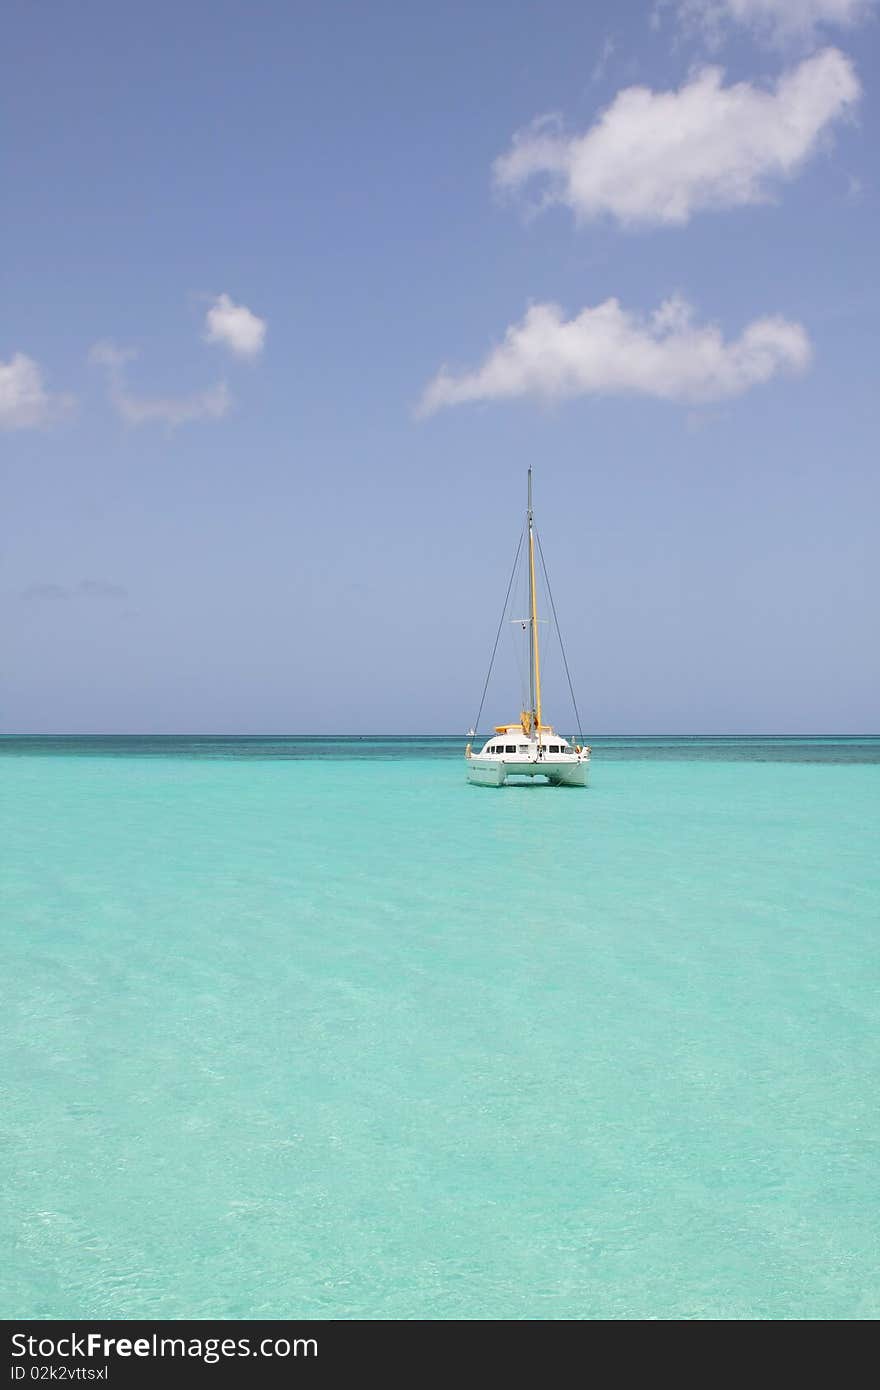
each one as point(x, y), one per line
point(664, 156)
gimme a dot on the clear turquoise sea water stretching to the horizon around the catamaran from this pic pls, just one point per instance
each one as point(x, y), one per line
point(311, 1028)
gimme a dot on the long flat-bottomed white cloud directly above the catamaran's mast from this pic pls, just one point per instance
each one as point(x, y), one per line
point(610, 351)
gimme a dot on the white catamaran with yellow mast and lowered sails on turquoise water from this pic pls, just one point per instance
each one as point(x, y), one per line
point(529, 749)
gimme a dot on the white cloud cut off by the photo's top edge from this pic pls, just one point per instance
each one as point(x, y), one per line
point(775, 22)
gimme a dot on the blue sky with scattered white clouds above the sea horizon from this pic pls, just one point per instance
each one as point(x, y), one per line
point(294, 294)
